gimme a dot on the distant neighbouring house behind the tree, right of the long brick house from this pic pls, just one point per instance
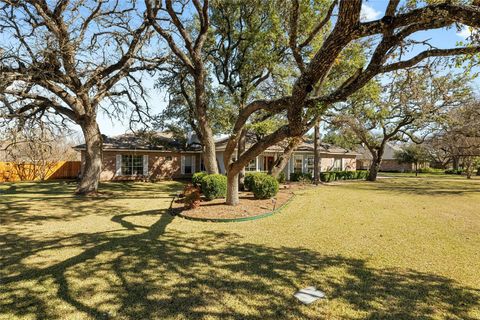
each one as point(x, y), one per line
point(389, 162)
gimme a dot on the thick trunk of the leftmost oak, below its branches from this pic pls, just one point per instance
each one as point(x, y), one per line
point(93, 158)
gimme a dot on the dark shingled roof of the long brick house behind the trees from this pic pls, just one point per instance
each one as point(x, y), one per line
point(165, 141)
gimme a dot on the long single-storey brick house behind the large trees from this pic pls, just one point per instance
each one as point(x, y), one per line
point(159, 157)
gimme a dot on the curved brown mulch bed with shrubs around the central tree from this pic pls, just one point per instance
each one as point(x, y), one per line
point(248, 206)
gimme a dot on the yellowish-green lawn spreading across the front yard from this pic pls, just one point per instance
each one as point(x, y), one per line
point(401, 248)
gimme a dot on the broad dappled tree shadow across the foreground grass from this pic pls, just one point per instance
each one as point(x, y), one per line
point(162, 273)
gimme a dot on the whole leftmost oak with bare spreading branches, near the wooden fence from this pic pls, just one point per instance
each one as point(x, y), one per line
point(71, 58)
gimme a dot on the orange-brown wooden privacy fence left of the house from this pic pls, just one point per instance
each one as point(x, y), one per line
point(10, 171)
